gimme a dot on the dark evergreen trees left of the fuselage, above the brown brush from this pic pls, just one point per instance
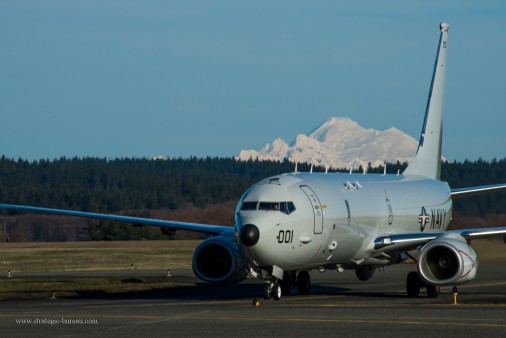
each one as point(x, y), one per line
point(95, 184)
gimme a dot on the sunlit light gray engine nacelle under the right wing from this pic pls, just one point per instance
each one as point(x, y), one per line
point(448, 260)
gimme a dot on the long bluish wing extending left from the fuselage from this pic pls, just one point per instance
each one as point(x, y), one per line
point(205, 228)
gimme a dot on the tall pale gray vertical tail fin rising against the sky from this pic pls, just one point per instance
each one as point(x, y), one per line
point(427, 161)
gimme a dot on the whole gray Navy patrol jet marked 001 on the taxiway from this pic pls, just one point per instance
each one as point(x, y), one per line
point(289, 224)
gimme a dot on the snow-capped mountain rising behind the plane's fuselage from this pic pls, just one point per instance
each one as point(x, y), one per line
point(340, 143)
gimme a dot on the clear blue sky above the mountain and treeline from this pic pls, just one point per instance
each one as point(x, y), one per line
point(209, 78)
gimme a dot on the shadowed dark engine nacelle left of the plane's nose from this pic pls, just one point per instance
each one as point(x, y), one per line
point(218, 260)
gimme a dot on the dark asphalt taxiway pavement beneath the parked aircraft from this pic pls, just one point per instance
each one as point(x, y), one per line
point(339, 305)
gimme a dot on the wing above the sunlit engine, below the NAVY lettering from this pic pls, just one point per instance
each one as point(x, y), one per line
point(404, 242)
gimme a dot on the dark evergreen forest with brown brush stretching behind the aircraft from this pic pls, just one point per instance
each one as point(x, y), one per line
point(188, 189)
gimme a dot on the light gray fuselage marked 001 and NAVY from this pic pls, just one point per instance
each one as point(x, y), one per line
point(337, 216)
